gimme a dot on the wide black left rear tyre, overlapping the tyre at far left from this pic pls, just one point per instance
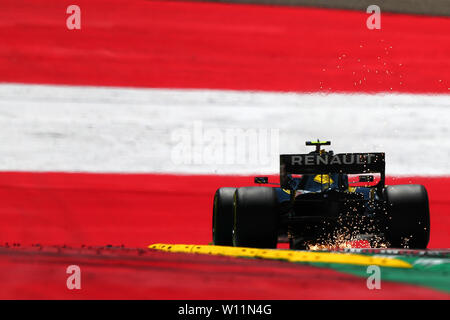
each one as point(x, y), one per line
point(255, 218)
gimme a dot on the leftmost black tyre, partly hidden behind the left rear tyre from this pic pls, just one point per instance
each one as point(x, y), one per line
point(222, 227)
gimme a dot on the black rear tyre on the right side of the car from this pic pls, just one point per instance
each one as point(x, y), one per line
point(408, 216)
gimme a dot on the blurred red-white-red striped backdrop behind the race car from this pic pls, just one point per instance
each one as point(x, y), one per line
point(120, 118)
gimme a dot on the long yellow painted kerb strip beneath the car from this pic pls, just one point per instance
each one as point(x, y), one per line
point(288, 255)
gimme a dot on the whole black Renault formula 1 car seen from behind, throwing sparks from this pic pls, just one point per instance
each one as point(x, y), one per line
point(322, 197)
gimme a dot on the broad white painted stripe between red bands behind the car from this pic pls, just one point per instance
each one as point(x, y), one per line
point(65, 128)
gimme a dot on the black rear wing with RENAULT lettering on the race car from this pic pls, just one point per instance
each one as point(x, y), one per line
point(315, 163)
